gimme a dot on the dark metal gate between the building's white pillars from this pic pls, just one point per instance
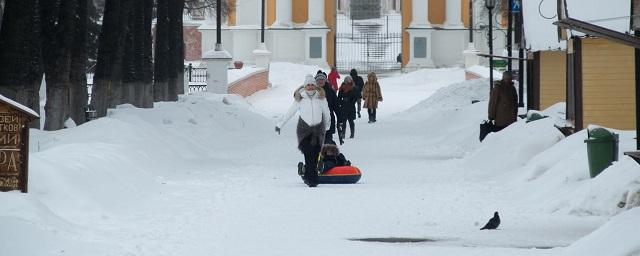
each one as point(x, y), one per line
point(369, 45)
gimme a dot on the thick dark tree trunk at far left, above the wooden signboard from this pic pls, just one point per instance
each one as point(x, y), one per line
point(21, 53)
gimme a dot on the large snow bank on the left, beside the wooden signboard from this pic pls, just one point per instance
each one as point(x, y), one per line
point(110, 166)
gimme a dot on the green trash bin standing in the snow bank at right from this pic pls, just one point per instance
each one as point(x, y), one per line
point(602, 150)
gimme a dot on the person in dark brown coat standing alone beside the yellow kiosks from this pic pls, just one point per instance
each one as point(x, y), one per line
point(503, 103)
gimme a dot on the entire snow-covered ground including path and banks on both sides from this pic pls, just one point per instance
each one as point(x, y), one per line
point(207, 175)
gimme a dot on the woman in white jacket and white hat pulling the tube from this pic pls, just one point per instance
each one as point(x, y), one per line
point(315, 119)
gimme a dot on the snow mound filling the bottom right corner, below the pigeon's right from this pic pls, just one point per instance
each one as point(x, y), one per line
point(618, 237)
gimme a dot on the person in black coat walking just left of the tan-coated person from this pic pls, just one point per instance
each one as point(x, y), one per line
point(347, 97)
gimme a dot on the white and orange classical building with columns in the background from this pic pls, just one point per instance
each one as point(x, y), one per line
point(434, 32)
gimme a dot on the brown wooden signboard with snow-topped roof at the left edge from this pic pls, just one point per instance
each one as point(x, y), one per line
point(14, 145)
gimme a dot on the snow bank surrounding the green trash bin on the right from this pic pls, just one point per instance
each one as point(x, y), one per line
point(564, 172)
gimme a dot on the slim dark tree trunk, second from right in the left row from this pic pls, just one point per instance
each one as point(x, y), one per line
point(162, 52)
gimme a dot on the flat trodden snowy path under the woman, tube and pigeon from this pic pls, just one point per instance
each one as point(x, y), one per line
point(261, 208)
